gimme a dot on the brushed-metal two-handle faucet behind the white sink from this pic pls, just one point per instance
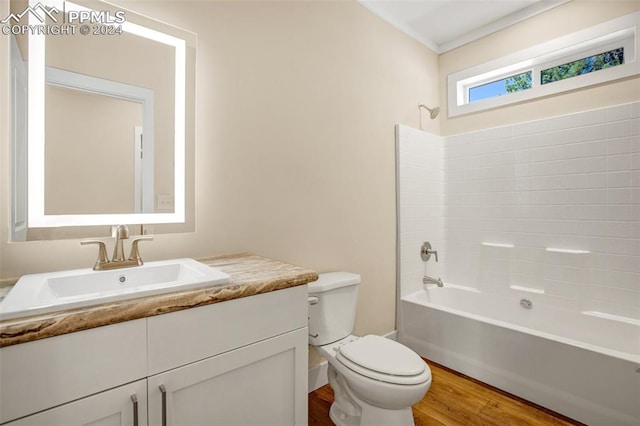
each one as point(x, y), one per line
point(120, 233)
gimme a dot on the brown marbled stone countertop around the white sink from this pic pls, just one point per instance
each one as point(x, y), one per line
point(250, 275)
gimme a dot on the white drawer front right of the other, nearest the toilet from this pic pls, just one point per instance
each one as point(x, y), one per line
point(186, 336)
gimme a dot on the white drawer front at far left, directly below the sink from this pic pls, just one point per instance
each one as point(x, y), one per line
point(49, 372)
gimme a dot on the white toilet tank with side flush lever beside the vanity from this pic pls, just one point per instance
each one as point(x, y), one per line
point(333, 313)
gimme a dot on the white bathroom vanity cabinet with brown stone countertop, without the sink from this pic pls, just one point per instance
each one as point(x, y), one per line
point(235, 354)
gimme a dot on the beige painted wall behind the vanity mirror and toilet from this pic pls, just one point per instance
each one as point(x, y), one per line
point(295, 149)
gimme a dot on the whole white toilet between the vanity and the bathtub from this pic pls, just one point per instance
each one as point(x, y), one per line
point(375, 380)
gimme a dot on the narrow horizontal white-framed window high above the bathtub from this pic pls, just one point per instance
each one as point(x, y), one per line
point(599, 54)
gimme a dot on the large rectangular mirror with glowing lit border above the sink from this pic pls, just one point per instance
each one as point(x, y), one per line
point(102, 120)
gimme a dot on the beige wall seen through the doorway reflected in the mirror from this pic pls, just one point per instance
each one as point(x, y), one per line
point(89, 171)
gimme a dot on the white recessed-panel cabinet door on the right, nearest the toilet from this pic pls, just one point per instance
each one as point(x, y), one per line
point(260, 384)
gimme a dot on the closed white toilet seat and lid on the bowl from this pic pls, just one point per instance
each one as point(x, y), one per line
point(384, 360)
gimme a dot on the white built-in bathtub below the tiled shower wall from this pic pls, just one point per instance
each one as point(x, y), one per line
point(585, 365)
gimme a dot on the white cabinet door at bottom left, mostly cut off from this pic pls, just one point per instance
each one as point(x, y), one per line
point(114, 407)
